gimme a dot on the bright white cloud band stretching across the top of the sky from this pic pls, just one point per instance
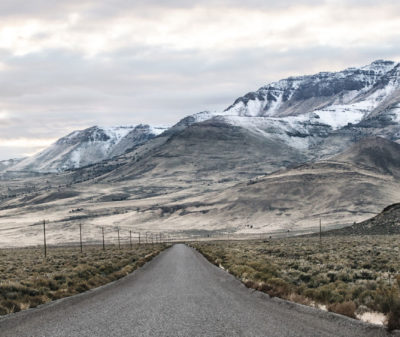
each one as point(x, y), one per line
point(212, 29)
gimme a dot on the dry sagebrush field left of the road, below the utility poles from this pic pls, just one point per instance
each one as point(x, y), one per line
point(28, 279)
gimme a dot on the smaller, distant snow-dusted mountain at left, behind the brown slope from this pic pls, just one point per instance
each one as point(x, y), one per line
point(89, 146)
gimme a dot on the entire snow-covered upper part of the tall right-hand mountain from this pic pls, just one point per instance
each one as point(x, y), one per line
point(304, 111)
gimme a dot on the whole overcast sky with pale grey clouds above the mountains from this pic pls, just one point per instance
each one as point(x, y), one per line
point(67, 65)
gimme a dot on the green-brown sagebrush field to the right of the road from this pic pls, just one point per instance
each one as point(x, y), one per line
point(344, 273)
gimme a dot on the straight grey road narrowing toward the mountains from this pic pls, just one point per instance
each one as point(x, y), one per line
point(178, 294)
